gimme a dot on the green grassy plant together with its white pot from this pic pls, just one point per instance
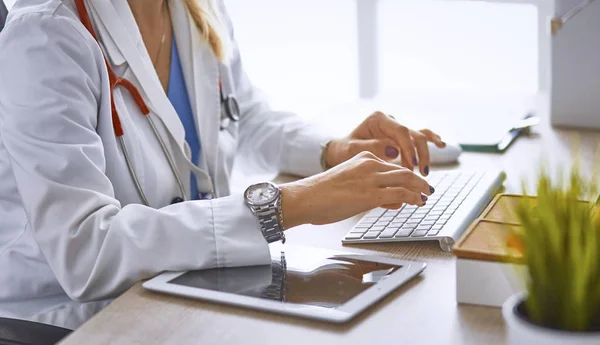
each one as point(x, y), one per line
point(560, 243)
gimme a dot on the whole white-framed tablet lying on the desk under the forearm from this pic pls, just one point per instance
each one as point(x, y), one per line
point(300, 281)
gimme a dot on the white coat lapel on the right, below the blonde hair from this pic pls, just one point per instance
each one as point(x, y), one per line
point(201, 72)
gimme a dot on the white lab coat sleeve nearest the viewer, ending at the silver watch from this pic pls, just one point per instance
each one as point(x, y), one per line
point(52, 72)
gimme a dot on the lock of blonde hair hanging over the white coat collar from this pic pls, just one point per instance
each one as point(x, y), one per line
point(211, 27)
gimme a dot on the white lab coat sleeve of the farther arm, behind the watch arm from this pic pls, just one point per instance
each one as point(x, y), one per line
point(274, 139)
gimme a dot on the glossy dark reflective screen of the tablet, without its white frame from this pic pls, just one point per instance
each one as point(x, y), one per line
point(310, 280)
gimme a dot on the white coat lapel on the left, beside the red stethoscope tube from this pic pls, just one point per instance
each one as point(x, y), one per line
point(119, 23)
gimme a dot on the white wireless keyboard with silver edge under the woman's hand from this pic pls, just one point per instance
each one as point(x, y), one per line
point(459, 198)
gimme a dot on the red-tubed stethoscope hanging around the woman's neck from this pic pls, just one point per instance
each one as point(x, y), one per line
point(230, 112)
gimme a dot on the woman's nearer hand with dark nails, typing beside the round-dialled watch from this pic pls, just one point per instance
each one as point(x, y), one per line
point(354, 186)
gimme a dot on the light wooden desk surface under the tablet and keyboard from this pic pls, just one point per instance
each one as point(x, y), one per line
point(423, 312)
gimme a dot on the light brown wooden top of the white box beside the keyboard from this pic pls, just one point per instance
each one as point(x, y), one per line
point(486, 238)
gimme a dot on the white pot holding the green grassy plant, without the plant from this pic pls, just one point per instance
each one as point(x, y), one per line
point(521, 331)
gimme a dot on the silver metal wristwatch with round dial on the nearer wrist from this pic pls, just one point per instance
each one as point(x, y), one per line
point(264, 200)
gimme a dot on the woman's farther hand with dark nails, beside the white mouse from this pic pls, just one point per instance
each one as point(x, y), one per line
point(386, 138)
